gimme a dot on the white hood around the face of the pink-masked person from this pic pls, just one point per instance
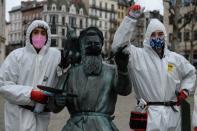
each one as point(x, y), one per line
point(32, 26)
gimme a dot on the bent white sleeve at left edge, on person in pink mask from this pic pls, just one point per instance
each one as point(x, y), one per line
point(14, 93)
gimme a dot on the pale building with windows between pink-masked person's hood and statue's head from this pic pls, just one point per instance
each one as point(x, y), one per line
point(58, 14)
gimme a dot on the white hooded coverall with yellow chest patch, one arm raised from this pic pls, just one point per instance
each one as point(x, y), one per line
point(155, 79)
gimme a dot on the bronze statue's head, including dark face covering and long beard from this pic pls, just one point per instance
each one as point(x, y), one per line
point(91, 42)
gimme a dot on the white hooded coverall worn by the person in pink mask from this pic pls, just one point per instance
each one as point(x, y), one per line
point(22, 71)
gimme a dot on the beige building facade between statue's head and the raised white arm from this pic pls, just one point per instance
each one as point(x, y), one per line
point(103, 14)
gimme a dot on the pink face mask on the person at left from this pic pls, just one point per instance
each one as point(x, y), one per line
point(38, 41)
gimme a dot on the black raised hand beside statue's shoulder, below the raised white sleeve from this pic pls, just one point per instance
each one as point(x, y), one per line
point(122, 60)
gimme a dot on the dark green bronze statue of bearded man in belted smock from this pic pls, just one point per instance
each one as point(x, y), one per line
point(93, 86)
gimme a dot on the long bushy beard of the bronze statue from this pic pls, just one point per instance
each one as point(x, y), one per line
point(92, 65)
